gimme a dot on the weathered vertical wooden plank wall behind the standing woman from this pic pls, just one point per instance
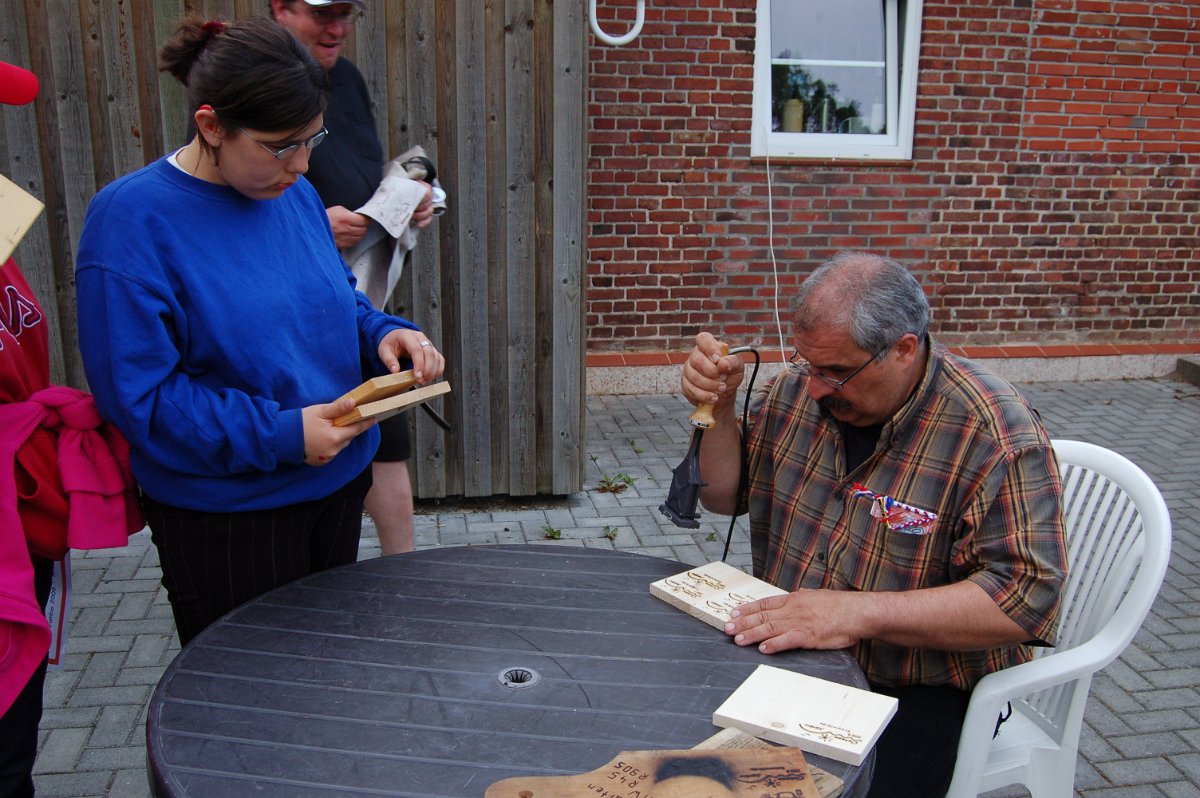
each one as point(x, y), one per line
point(494, 92)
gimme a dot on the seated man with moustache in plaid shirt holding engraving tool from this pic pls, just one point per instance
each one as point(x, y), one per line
point(908, 499)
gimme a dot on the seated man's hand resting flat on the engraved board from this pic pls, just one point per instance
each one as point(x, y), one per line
point(818, 620)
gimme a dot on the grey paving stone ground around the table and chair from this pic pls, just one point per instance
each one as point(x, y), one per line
point(1143, 722)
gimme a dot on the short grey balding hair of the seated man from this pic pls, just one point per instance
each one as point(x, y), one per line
point(875, 298)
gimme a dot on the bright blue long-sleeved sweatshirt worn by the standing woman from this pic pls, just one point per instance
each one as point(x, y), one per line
point(207, 322)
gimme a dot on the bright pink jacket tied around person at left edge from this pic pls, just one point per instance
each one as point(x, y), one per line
point(94, 466)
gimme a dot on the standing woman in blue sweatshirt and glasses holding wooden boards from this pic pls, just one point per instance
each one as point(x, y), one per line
point(219, 323)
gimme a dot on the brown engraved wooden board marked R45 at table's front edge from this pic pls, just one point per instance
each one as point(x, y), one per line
point(734, 773)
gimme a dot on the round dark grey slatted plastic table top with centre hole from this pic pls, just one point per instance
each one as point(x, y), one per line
point(387, 677)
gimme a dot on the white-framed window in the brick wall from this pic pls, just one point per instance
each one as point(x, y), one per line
point(836, 80)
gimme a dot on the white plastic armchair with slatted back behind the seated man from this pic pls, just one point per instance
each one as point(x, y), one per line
point(1119, 539)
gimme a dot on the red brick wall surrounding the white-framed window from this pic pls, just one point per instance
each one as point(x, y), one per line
point(1053, 196)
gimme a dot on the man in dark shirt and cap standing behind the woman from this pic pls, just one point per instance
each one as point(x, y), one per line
point(346, 173)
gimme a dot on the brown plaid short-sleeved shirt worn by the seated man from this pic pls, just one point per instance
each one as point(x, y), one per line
point(968, 448)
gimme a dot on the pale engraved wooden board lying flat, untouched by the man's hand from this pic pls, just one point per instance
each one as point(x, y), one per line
point(813, 715)
